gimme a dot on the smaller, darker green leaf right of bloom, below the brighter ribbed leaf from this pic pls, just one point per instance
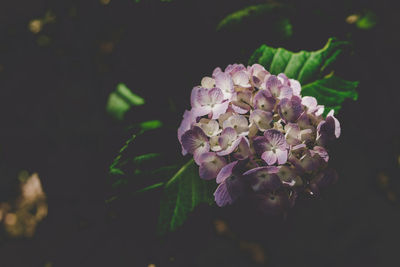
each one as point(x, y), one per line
point(331, 92)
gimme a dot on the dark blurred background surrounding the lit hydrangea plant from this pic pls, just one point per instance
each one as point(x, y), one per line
point(54, 87)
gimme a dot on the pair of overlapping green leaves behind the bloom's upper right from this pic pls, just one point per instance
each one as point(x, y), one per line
point(309, 69)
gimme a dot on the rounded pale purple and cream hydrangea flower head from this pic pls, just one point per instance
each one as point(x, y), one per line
point(258, 137)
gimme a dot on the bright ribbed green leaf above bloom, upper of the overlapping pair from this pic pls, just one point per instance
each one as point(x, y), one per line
point(303, 66)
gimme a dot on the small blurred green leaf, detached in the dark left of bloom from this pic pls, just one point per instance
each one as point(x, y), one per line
point(121, 100)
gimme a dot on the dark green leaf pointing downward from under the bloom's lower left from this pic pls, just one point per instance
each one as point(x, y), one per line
point(182, 193)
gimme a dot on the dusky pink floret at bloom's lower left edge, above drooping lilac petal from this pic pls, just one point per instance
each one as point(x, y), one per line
point(210, 165)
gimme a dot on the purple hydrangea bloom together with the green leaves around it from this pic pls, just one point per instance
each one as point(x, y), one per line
point(259, 133)
